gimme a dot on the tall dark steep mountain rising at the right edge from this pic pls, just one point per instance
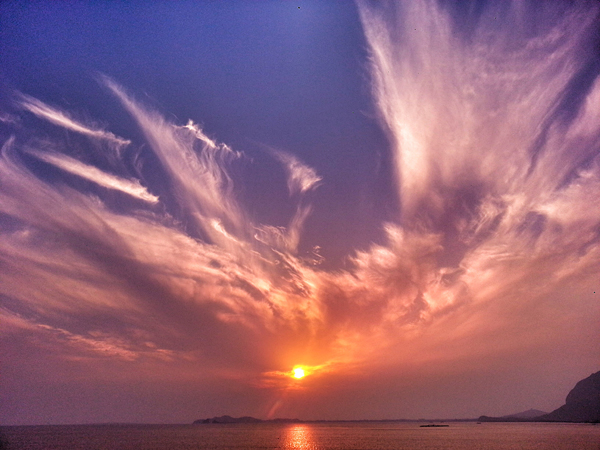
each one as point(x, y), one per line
point(582, 403)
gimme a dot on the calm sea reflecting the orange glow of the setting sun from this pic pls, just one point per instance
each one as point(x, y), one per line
point(356, 436)
